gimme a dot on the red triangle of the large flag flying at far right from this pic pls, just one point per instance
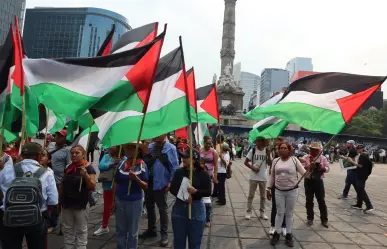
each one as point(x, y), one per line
point(351, 104)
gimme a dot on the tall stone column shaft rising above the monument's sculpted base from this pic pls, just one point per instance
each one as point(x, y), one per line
point(227, 53)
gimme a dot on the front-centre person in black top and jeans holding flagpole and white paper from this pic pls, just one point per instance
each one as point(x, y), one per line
point(184, 227)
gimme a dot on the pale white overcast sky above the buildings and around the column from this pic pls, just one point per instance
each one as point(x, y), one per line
point(340, 35)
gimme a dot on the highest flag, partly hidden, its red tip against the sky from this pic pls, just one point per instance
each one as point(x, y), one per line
point(136, 38)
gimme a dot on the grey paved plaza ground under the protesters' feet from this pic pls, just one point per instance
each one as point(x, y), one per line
point(349, 229)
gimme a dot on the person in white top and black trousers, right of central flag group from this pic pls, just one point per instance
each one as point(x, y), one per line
point(223, 162)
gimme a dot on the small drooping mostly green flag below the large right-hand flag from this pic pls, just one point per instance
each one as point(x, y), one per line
point(270, 127)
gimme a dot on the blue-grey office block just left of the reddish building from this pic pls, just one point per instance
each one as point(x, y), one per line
point(272, 80)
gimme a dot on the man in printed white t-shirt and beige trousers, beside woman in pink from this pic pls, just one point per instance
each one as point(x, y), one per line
point(257, 161)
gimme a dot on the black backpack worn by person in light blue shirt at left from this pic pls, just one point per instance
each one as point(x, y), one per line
point(24, 199)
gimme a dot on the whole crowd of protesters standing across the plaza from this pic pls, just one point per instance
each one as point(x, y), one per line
point(138, 177)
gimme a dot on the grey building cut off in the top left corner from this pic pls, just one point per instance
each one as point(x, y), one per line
point(8, 9)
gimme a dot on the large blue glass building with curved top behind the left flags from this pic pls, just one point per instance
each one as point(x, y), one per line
point(69, 32)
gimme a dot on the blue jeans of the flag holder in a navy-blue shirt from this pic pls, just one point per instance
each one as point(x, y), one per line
point(128, 215)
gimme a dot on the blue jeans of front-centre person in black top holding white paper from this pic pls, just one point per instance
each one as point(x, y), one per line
point(184, 227)
